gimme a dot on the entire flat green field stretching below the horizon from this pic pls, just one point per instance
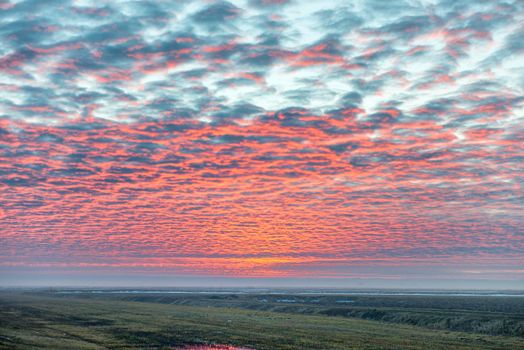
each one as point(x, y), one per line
point(51, 320)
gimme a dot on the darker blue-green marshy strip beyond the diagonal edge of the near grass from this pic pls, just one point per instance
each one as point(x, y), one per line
point(477, 314)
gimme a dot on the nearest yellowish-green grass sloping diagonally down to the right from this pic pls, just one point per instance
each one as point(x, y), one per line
point(43, 321)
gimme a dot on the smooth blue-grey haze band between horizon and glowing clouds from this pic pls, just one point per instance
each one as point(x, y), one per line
point(405, 279)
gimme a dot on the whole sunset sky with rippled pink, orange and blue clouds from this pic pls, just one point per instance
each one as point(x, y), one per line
point(262, 142)
